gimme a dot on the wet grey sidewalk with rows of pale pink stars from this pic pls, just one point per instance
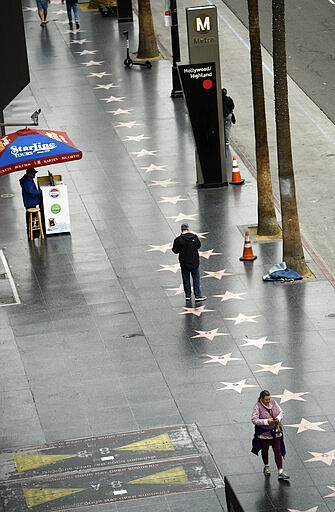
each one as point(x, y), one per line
point(102, 342)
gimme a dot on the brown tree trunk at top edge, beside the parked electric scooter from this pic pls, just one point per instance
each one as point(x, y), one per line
point(147, 47)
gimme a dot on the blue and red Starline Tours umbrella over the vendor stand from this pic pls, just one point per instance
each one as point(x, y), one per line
point(35, 148)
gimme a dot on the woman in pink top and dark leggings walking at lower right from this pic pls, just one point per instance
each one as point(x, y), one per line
point(267, 416)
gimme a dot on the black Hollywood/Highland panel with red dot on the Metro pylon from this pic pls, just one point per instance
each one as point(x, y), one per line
point(199, 86)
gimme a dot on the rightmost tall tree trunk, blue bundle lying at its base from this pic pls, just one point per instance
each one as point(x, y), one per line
point(293, 253)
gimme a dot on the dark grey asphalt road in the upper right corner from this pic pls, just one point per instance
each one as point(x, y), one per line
point(310, 44)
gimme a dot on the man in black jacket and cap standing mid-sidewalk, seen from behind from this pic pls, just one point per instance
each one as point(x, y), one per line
point(187, 245)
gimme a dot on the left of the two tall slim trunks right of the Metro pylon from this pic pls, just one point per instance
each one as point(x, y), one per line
point(267, 221)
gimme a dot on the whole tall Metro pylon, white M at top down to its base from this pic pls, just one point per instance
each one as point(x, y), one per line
point(203, 47)
